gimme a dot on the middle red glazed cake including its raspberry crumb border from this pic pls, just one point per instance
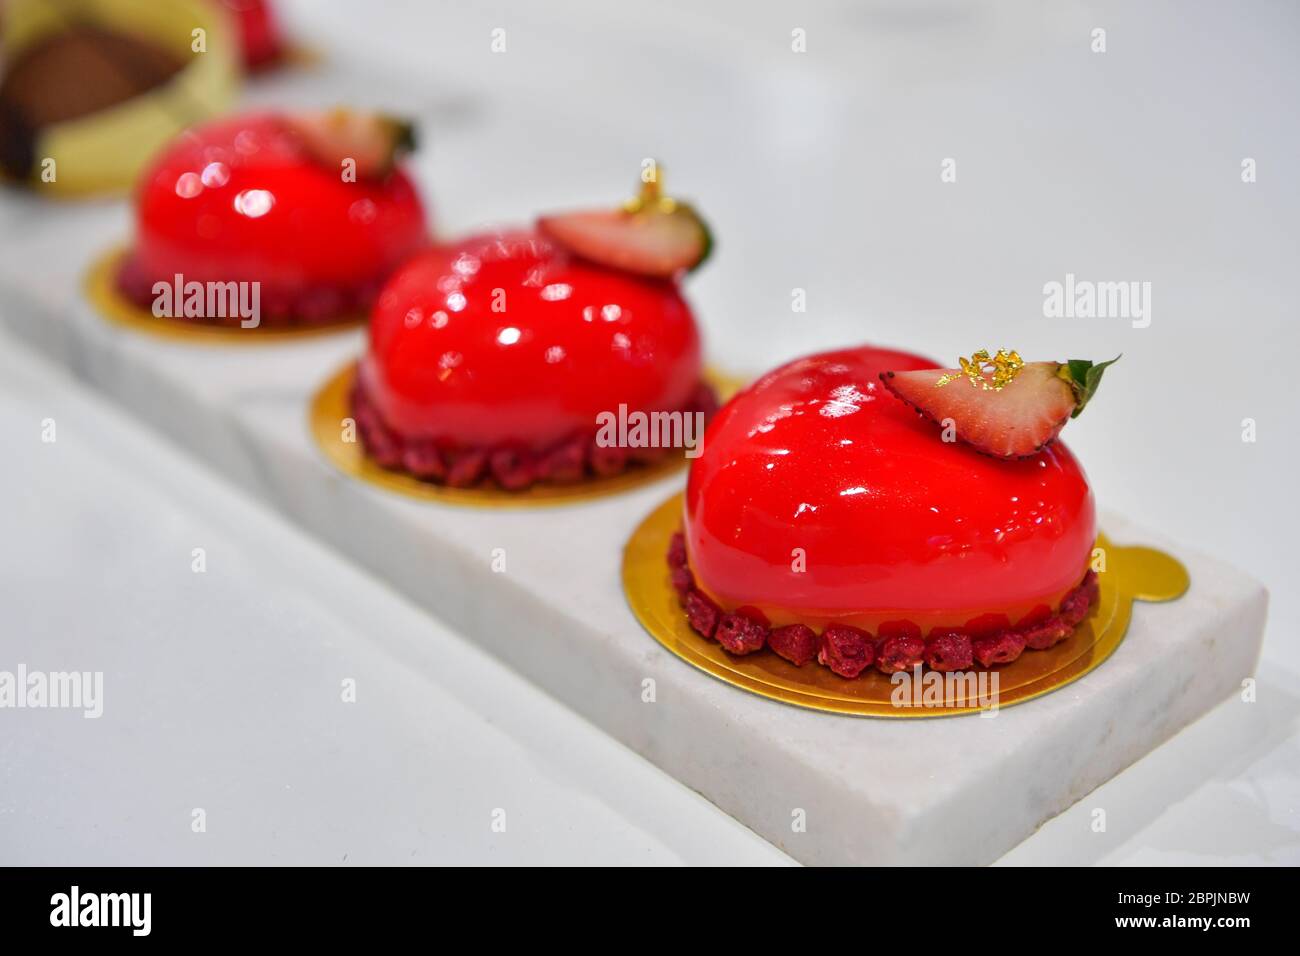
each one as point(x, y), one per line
point(497, 358)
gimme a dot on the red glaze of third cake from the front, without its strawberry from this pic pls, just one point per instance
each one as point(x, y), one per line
point(241, 201)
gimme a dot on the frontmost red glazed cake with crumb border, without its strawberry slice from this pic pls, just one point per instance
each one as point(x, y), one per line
point(827, 520)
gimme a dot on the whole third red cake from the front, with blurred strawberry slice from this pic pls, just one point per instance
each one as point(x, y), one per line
point(309, 207)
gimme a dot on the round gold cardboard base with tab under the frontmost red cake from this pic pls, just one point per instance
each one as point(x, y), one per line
point(1130, 574)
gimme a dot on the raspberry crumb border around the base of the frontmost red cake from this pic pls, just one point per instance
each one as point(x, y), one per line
point(850, 651)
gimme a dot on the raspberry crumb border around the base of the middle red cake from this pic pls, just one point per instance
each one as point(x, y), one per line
point(512, 468)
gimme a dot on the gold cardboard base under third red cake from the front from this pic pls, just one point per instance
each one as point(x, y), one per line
point(103, 295)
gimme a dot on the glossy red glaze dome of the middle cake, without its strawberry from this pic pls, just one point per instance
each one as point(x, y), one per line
point(506, 340)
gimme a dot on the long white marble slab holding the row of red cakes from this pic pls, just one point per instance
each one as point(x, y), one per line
point(950, 791)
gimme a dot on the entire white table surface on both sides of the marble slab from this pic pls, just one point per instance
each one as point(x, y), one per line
point(821, 171)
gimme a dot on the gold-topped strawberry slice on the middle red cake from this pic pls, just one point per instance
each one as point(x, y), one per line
point(651, 236)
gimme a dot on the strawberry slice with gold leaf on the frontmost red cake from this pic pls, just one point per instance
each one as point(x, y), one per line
point(1002, 405)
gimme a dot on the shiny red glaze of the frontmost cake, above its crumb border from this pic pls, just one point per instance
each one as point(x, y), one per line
point(890, 517)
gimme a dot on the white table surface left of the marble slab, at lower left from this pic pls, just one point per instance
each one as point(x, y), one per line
point(223, 690)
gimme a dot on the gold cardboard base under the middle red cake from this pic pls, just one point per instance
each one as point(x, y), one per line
point(331, 412)
